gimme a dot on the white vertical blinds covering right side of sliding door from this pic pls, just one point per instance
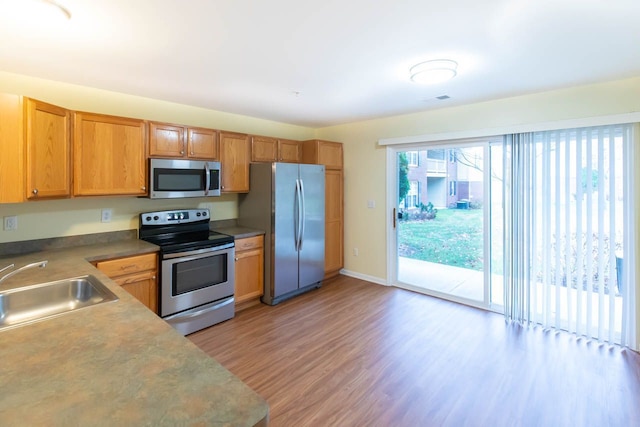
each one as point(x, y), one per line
point(568, 227)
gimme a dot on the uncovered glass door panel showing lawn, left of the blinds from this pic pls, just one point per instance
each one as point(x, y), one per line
point(443, 218)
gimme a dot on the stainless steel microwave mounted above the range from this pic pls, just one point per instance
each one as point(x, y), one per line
point(170, 179)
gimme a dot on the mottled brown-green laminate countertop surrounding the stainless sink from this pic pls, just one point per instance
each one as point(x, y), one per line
point(115, 363)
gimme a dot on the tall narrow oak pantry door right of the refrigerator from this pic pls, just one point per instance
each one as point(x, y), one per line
point(334, 246)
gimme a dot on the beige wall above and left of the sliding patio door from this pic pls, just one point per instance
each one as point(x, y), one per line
point(365, 160)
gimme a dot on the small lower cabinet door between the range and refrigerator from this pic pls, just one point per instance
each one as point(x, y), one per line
point(249, 267)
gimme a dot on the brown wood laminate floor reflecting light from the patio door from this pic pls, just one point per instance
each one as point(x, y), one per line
point(358, 354)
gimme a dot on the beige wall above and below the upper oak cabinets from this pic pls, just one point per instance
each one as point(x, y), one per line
point(43, 219)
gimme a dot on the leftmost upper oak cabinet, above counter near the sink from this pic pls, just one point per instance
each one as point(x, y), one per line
point(35, 144)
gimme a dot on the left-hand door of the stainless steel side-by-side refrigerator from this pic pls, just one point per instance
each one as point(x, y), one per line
point(285, 216)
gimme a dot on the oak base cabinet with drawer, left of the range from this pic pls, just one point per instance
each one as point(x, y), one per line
point(137, 275)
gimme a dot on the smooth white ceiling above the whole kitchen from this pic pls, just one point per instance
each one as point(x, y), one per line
point(322, 62)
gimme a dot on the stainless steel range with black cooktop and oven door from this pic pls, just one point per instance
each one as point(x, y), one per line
point(196, 268)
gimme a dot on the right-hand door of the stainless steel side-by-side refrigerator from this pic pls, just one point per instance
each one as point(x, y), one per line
point(311, 255)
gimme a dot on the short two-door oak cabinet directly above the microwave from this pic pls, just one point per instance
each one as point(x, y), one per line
point(167, 140)
